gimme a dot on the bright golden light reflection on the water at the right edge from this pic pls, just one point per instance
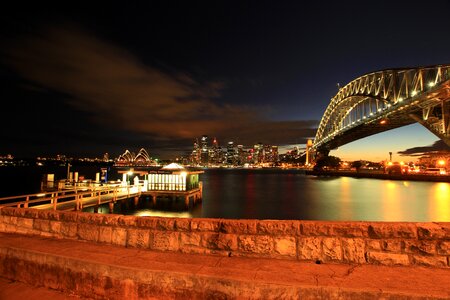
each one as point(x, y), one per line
point(440, 202)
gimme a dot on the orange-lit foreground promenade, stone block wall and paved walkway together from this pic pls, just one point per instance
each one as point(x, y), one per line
point(128, 257)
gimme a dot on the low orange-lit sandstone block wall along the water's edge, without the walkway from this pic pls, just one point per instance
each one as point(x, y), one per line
point(386, 243)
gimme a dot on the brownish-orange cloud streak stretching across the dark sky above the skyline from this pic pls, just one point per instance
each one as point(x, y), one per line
point(114, 89)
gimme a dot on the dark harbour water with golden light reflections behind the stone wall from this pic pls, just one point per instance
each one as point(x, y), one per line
point(275, 194)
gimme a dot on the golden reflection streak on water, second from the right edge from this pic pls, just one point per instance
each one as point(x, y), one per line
point(391, 202)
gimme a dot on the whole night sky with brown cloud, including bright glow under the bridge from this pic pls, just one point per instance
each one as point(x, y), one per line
point(87, 80)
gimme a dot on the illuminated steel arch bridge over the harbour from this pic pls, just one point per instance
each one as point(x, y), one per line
point(385, 100)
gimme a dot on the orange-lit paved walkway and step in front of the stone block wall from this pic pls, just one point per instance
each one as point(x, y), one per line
point(112, 272)
